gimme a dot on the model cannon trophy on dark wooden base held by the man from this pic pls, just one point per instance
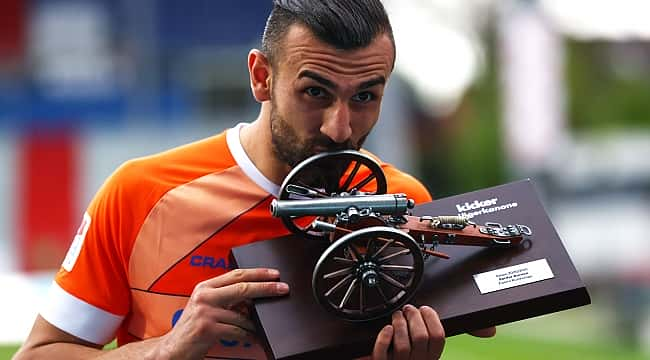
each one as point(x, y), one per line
point(358, 253)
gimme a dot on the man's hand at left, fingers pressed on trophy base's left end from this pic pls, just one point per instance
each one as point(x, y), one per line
point(212, 312)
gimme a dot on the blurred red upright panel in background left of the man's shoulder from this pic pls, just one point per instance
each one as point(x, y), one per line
point(47, 214)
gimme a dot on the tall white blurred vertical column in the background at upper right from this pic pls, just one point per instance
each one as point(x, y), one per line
point(532, 78)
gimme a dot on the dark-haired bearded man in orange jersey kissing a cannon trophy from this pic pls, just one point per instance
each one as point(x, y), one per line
point(148, 263)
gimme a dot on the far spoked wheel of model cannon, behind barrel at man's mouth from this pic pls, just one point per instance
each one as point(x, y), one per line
point(329, 174)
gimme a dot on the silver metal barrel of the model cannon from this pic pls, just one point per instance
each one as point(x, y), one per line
point(386, 204)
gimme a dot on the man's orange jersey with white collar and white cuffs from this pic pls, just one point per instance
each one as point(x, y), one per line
point(160, 225)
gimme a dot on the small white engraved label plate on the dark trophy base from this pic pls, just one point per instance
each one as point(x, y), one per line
point(512, 276)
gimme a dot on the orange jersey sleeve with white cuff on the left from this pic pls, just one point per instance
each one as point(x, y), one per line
point(89, 297)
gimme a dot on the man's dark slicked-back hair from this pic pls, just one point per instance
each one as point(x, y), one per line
point(344, 24)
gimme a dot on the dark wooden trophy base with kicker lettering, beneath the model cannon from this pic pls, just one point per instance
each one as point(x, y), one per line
point(296, 327)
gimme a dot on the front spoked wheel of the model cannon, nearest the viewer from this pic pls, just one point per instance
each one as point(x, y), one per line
point(368, 273)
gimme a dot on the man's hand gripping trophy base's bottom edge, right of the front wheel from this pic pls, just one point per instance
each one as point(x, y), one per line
point(414, 333)
